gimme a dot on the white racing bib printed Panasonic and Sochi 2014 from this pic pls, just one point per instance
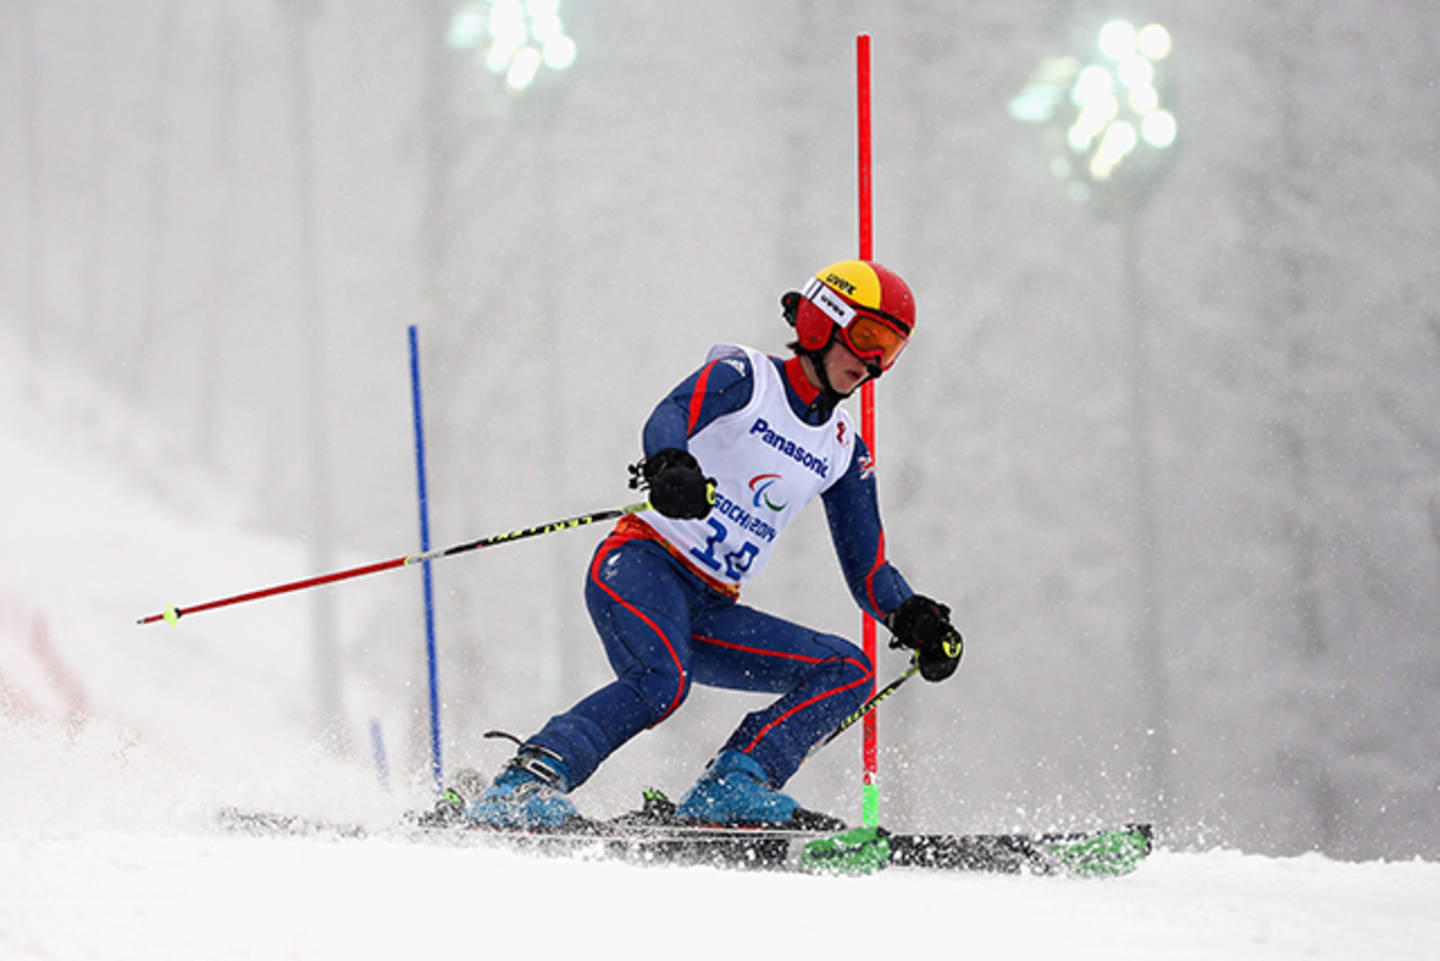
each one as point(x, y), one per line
point(768, 466)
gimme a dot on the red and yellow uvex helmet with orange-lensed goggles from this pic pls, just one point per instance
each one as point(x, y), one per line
point(868, 306)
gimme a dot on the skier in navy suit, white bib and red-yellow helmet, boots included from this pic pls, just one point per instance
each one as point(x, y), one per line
point(732, 456)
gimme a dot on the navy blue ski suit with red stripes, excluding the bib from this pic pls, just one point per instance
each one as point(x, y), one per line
point(666, 626)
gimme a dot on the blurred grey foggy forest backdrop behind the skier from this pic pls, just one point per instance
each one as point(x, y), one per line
point(1177, 470)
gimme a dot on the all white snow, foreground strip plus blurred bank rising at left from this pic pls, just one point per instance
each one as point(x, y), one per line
point(119, 746)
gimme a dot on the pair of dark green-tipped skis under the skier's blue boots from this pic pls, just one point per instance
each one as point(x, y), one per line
point(1101, 854)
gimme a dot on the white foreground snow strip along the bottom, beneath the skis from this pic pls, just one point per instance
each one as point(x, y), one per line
point(181, 894)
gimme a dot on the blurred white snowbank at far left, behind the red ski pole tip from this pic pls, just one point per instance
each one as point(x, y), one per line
point(89, 548)
